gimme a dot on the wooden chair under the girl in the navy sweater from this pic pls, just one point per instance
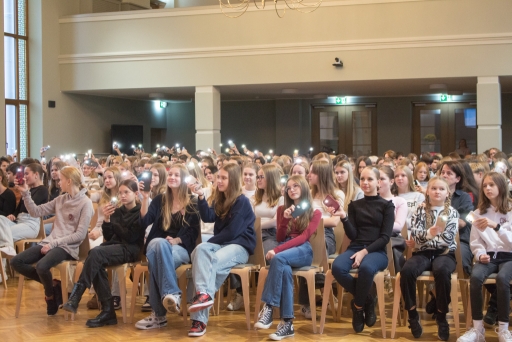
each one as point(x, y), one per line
point(254, 264)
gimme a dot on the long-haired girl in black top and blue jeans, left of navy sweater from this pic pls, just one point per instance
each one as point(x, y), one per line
point(170, 242)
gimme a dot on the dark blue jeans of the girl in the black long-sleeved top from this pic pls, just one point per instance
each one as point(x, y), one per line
point(371, 264)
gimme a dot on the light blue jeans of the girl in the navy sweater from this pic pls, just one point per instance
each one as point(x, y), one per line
point(211, 266)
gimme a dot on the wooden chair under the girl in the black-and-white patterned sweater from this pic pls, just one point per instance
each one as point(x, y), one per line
point(428, 276)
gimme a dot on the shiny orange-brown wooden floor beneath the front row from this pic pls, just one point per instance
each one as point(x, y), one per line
point(34, 325)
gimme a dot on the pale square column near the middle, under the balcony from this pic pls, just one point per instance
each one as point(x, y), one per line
point(207, 109)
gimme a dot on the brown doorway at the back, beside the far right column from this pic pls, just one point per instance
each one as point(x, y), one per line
point(439, 127)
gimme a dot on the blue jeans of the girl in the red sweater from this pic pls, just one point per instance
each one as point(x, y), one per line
point(278, 291)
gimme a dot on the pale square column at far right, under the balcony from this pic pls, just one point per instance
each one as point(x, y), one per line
point(488, 95)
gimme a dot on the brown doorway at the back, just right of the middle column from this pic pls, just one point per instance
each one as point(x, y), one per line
point(348, 129)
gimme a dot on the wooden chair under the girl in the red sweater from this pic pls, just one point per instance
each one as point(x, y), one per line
point(319, 263)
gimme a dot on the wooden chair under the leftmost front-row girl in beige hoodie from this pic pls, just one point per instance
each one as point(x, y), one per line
point(83, 251)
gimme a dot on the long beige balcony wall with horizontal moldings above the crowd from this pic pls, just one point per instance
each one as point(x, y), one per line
point(199, 46)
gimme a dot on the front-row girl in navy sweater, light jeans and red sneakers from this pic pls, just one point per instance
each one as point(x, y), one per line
point(232, 242)
